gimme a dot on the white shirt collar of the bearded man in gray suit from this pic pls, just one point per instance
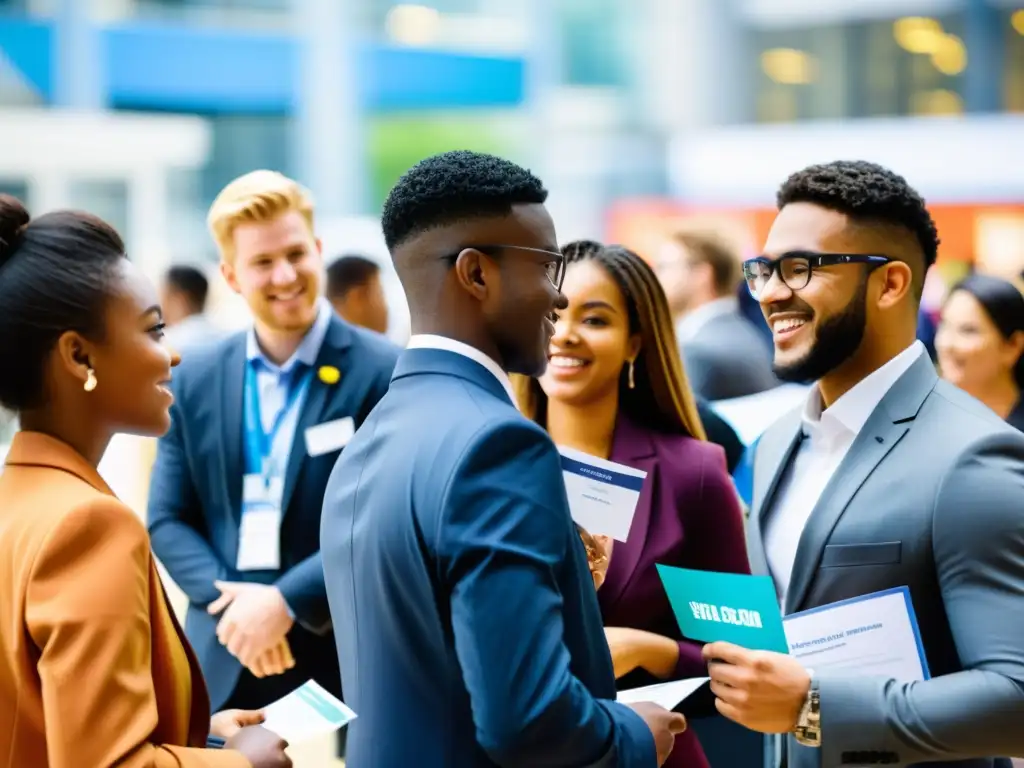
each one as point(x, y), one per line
point(850, 413)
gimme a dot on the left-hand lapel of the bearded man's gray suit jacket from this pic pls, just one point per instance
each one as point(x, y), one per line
point(775, 450)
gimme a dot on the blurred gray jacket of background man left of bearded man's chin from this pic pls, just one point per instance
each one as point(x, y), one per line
point(728, 359)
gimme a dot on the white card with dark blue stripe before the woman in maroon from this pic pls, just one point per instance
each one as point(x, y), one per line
point(603, 495)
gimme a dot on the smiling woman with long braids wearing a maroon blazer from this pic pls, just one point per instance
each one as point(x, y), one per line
point(616, 389)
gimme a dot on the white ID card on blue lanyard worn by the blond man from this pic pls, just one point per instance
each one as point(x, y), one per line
point(264, 485)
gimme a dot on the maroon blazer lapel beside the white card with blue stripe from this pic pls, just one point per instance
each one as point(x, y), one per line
point(633, 448)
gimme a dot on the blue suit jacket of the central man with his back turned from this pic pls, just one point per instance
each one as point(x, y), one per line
point(466, 619)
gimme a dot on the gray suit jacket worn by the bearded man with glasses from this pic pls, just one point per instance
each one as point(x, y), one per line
point(931, 497)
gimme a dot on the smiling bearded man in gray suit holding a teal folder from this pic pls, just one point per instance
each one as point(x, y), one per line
point(887, 478)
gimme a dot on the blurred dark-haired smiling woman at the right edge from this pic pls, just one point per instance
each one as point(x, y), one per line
point(980, 344)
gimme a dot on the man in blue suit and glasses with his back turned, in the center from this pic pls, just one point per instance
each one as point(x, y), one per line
point(466, 619)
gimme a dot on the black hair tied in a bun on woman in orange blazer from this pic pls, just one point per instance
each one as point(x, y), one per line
point(56, 276)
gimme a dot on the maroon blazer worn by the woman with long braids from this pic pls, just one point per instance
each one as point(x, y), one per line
point(689, 516)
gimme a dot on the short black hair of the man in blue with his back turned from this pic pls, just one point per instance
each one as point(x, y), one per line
point(453, 187)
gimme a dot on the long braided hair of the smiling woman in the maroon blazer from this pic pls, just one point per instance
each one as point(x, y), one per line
point(662, 399)
